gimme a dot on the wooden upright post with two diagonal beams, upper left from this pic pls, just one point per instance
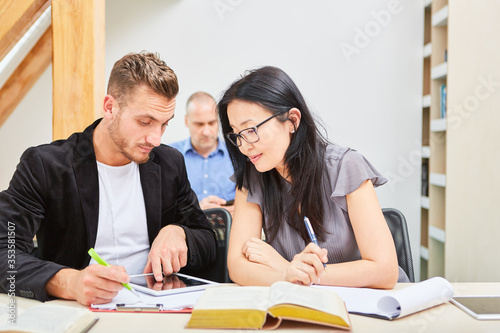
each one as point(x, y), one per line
point(74, 43)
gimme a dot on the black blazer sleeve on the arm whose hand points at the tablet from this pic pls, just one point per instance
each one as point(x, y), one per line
point(200, 236)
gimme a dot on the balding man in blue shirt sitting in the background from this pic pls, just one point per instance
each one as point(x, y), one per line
point(207, 160)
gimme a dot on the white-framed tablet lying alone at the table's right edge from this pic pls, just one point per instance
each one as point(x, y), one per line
point(479, 307)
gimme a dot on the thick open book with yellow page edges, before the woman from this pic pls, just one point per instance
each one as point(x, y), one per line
point(265, 307)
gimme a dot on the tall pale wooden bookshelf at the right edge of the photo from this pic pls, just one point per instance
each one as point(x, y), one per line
point(460, 221)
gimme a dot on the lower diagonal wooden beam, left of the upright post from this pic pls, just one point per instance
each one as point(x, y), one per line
point(25, 76)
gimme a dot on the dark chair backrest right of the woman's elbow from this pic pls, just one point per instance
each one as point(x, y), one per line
point(399, 230)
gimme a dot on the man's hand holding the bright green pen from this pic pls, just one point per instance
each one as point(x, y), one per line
point(96, 284)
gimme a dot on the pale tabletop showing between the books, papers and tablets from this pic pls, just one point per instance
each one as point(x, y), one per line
point(443, 318)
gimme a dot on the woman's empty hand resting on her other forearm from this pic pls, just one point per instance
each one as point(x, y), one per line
point(258, 251)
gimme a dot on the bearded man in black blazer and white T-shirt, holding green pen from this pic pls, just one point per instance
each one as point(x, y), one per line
point(114, 188)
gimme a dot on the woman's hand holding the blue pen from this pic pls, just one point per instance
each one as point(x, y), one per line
point(307, 266)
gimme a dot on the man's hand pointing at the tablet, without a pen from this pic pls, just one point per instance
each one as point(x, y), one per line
point(169, 250)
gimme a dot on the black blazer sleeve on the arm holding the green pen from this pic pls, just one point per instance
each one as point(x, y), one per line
point(22, 209)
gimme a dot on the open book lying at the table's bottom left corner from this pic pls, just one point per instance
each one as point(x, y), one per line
point(48, 318)
